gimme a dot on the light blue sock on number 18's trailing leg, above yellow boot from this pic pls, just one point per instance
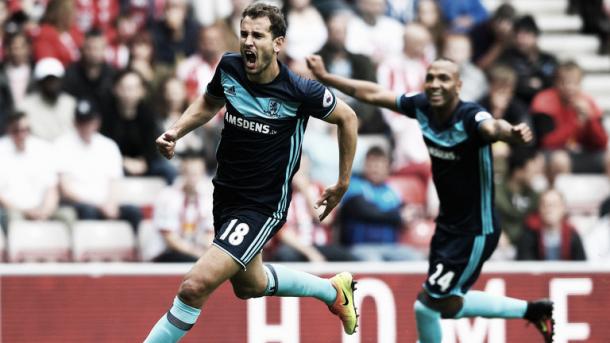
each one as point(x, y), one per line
point(287, 282)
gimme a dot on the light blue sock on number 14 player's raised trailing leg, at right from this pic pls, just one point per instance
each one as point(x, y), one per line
point(481, 304)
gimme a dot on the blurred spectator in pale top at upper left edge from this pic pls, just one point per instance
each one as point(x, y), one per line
point(16, 74)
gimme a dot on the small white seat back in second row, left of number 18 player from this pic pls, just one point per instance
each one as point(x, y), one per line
point(140, 191)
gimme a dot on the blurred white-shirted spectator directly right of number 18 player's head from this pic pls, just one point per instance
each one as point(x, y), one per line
point(306, 32)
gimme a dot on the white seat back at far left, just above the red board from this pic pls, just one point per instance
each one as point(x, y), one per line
point(31, 241)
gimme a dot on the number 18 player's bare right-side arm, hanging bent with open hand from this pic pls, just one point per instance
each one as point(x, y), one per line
point(347, 123)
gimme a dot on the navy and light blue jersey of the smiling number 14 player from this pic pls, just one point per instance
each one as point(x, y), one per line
point(462, 167)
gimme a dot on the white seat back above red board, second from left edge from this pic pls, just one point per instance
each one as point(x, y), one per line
point(103, 240)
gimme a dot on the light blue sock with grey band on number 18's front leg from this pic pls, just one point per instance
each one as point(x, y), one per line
point(174, 324)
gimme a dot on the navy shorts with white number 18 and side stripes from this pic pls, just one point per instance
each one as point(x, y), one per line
point(243, 233)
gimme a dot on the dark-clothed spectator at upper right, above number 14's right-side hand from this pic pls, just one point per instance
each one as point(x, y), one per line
point(535, 69)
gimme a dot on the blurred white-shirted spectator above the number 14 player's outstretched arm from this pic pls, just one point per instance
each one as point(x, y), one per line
point(373, 34)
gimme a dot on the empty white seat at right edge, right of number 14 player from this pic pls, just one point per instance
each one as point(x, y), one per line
point(583, 192)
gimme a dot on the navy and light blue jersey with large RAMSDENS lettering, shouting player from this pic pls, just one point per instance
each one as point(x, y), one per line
point(260, 145)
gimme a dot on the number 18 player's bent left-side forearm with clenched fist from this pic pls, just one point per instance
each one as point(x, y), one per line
point(198, 113)
